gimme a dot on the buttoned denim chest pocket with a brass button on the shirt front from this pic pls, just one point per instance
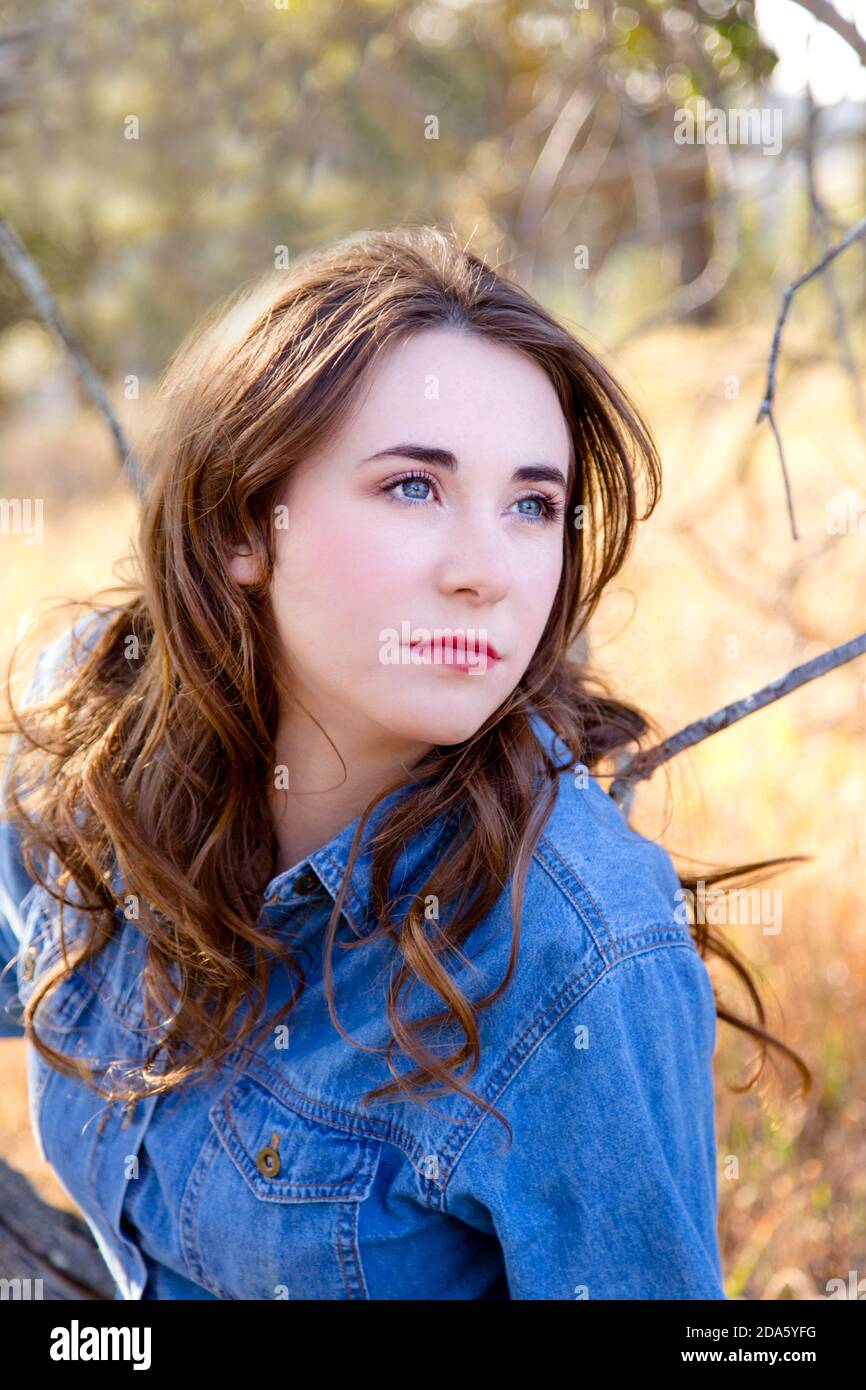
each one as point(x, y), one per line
point(273, 1203)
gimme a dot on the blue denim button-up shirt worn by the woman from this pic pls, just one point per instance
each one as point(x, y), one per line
point(275, 1181)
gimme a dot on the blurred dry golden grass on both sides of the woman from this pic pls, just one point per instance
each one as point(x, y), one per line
point(715, 603)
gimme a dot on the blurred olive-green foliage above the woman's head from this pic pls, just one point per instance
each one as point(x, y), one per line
point(155, 156)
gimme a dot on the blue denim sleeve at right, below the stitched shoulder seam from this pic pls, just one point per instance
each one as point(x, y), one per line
point(610, 1188)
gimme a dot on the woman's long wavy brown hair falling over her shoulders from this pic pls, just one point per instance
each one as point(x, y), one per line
point(158, 755)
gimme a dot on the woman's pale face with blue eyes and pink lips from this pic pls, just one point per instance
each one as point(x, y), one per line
point(382, 557)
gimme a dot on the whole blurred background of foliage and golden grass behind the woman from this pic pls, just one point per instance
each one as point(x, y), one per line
point(657, 174)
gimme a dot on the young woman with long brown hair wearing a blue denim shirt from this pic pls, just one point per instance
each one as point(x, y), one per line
point(345, 978)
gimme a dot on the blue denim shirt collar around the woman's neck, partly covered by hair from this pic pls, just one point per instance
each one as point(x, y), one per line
point(330, 862)
